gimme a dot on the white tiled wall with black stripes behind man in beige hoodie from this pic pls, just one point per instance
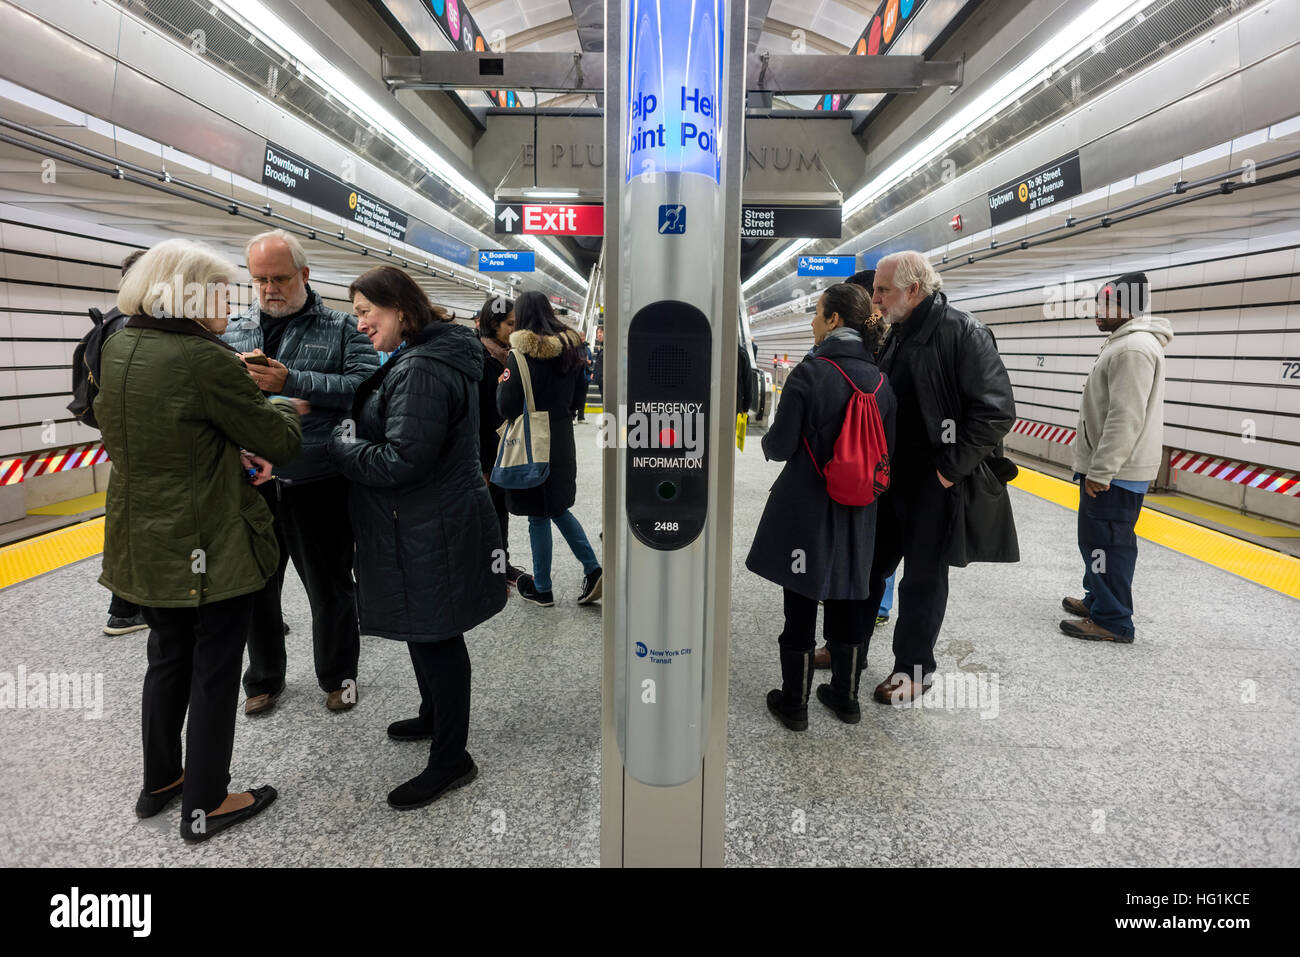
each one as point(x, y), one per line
point(1232, 336)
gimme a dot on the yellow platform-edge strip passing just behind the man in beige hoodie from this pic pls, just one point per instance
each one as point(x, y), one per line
point(1247, 560)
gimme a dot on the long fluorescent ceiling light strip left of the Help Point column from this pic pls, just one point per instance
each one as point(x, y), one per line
point(276, 34)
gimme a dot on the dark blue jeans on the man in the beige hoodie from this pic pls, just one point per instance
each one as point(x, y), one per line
point(1110, 549)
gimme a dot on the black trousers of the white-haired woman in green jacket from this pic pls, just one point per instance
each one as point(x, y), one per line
point(194, 665)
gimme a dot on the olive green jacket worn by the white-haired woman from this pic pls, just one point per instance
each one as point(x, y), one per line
point(184, 525)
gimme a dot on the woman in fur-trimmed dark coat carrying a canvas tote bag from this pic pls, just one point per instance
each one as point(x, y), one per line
point(553, 352)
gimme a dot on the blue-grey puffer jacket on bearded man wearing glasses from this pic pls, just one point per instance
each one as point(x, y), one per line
point(328, 360)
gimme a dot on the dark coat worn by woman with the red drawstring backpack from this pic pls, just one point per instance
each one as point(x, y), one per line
point(807, 542)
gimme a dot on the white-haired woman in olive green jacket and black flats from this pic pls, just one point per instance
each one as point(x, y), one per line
point(187, 536)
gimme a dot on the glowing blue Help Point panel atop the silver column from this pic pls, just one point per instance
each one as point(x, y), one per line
point(675, 85)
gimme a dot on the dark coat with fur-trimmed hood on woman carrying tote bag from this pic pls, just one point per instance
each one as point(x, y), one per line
point(553, 392)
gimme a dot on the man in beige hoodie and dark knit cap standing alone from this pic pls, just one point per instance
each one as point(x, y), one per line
point(1117, 453)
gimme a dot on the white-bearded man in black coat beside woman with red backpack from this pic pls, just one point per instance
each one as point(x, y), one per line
point(947, 504)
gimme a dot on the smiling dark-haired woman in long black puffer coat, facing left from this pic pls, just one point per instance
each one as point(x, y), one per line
point(428, 548)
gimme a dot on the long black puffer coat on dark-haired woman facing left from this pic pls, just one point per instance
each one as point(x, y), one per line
point(428, 547)
